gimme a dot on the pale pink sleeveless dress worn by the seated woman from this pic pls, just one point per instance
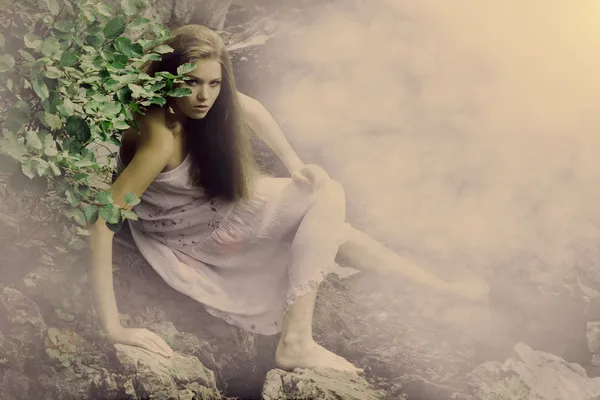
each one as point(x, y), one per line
point(233, 257)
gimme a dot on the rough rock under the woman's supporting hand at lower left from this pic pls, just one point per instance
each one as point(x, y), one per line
point(155, 376)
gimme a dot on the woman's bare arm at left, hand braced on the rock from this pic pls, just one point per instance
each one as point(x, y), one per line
point(155, 147)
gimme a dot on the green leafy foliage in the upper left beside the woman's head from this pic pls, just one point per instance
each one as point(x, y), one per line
point(70, 80)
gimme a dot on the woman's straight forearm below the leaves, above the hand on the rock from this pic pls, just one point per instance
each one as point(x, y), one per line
point(102, 277)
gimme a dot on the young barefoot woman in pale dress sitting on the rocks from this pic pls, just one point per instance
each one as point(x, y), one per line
point(251, 248)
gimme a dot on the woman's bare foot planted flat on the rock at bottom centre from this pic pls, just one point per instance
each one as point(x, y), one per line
point(310, 355)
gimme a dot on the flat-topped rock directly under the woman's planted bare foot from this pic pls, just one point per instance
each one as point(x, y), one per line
point(318, 384)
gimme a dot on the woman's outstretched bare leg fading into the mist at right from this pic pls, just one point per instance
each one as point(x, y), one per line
point(363, 253)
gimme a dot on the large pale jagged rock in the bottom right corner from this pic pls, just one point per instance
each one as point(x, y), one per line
point(534, 375)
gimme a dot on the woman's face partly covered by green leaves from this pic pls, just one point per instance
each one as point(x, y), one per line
point(205, 84)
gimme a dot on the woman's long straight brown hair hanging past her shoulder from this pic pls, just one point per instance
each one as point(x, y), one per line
point(219, 144)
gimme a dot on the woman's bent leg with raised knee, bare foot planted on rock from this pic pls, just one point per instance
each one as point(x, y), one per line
point(315, 241)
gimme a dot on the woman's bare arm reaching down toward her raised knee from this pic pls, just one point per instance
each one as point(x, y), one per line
point(264, 125)
